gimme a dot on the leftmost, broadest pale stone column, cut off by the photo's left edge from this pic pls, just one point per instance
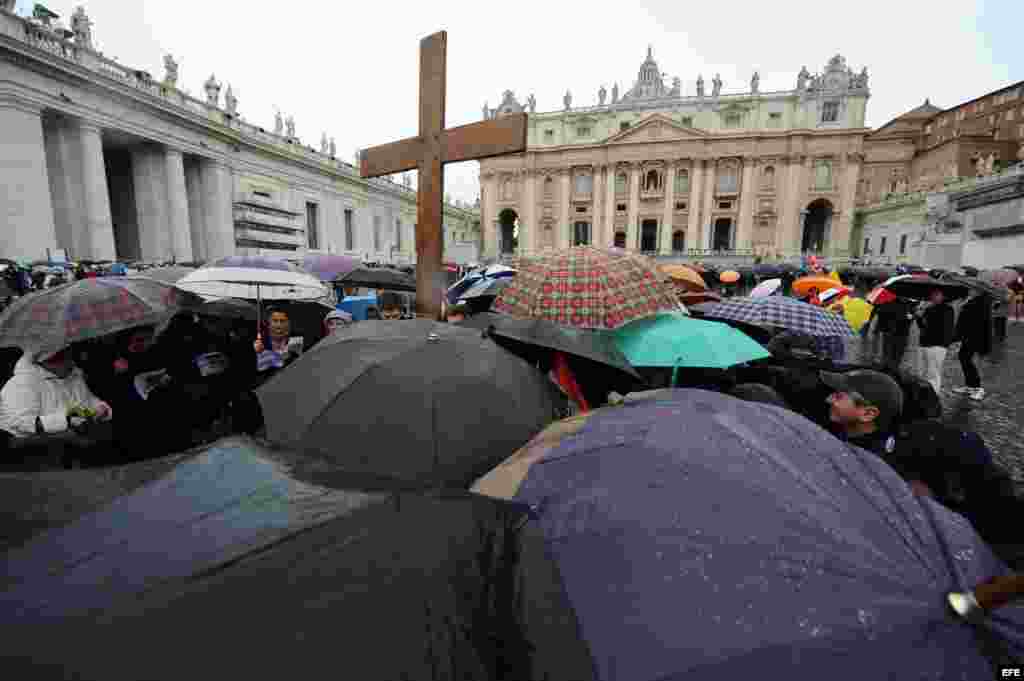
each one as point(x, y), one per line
point(26, 204)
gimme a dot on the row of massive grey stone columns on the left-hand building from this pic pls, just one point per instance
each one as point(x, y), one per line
point(56, 194)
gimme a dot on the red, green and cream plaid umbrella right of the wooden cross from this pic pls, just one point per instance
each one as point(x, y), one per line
point(587, 287)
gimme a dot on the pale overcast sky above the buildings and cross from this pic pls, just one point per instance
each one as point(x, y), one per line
point(353, 69)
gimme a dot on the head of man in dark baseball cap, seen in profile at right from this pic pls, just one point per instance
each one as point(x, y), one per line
point(865, 407)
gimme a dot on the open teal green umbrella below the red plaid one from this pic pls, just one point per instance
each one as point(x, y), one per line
point(675, 340)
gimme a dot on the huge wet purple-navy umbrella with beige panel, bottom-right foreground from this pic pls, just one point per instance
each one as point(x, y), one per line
point(703, 537)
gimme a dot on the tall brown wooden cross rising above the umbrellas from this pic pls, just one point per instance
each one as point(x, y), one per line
point(429, 153)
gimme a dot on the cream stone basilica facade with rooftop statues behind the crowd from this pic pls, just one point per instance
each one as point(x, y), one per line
point(654, 171)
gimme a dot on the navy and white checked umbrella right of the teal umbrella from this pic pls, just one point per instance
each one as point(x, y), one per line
point(782, 312)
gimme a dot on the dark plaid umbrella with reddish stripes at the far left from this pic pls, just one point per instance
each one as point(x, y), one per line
point(50, 321)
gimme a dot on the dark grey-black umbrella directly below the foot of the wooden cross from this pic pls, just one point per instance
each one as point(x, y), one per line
point(422, 403)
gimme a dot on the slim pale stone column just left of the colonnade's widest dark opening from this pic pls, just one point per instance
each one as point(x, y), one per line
point(97, 196)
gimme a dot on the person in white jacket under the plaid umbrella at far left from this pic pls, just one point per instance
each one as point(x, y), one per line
point(40, 394)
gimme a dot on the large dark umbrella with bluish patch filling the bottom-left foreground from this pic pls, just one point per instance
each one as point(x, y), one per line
point(241, 562)
